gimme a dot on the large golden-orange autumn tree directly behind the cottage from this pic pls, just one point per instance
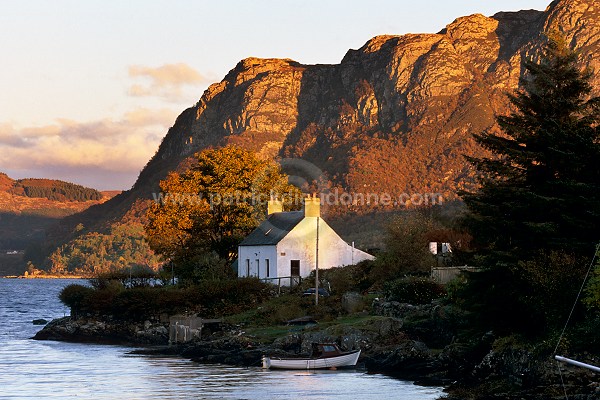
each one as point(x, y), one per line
point(212, 206)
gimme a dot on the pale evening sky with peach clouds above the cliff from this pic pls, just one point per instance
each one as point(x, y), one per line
point(90, 88)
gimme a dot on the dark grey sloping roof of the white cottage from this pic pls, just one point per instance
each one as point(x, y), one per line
point(273, 229)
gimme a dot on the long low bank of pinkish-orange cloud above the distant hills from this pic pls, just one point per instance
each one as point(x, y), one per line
point(96, 151)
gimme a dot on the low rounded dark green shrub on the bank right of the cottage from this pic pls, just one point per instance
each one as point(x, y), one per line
point(413, 290)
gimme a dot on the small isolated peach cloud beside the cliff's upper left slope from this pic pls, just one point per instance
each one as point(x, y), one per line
point(167, 81)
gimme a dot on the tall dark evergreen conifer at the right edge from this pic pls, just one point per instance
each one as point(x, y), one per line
point(541, 190)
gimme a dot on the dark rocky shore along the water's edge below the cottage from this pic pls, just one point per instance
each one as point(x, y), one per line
point(402, 340)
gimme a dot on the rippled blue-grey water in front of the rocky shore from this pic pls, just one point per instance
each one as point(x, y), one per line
point(31, 369)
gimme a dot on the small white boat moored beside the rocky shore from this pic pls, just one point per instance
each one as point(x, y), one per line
point(324, 356)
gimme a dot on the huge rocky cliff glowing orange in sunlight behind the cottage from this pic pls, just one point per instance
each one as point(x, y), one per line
point(394, 116)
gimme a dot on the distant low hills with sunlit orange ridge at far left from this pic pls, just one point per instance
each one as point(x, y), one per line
point(28, 207)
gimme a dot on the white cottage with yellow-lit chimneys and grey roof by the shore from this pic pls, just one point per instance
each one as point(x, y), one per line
point(284, 246)
